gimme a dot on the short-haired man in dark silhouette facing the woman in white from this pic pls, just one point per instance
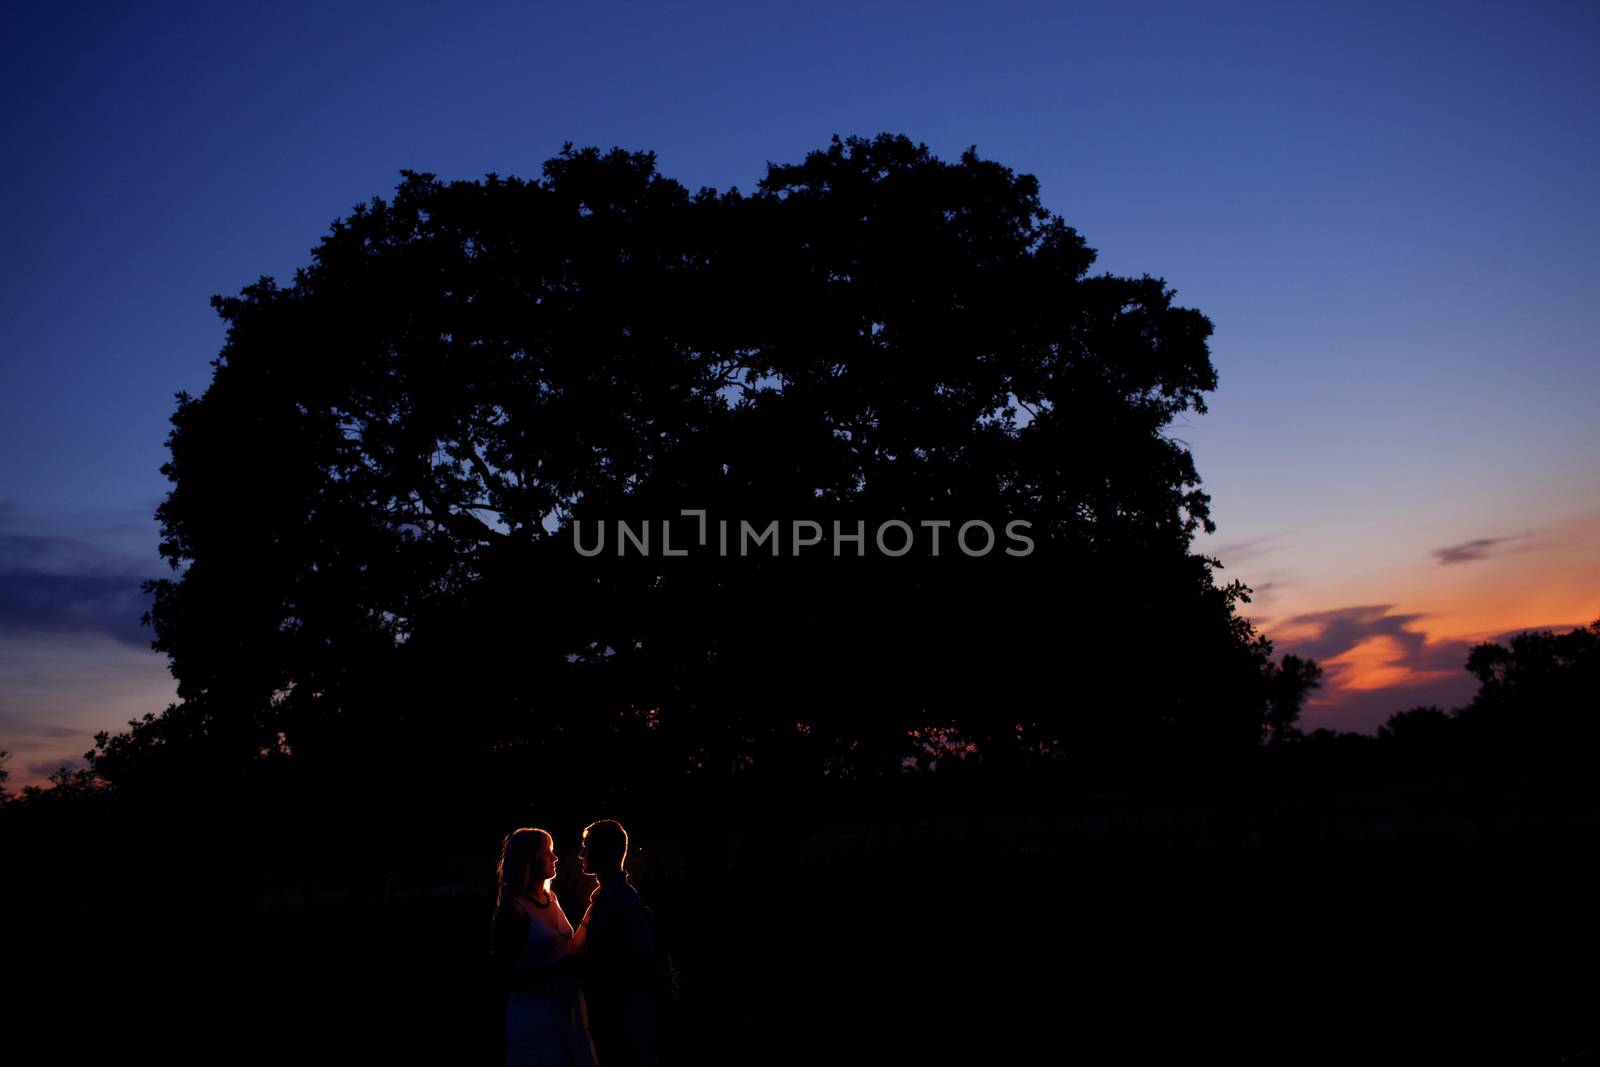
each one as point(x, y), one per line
point(620, 953)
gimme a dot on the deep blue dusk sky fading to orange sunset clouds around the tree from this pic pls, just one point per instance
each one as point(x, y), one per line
point(1386, 210)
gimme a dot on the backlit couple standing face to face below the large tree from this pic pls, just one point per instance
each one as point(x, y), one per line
point(577, 997)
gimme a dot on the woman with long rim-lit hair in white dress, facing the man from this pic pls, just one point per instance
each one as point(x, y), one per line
point(532, 949)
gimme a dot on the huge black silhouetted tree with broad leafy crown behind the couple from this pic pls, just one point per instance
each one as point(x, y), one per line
point(374, 503)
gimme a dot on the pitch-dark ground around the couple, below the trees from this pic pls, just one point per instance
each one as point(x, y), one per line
point(1439, 922)
